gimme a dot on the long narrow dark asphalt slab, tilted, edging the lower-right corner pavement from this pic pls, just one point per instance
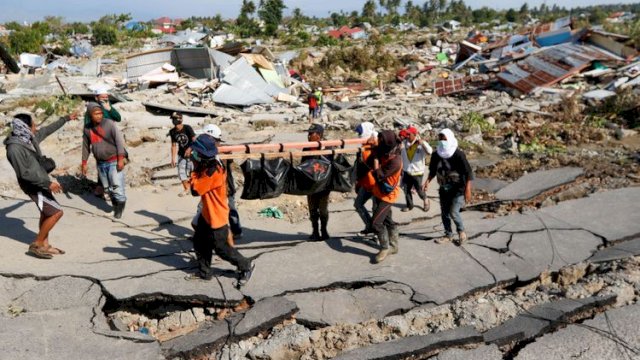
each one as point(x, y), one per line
point(542, 318)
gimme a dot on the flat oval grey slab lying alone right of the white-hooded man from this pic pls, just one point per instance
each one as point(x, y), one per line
point(533, 184)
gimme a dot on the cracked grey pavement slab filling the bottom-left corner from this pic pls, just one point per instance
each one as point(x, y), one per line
point(64, 312)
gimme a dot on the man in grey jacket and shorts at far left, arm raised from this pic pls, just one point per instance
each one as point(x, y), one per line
point(32, 168)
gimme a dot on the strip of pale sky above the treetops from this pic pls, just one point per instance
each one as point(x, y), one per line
point(144, 10)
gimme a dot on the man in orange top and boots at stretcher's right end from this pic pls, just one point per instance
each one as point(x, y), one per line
point(385, 192)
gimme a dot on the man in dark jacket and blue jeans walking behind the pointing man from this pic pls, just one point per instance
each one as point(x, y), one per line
point(105, 141)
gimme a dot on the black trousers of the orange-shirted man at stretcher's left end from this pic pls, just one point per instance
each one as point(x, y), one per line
point(206, 239)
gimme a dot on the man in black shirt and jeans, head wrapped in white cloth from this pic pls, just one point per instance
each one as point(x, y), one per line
point(450, 166)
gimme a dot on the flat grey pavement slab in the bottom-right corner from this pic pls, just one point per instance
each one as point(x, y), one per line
point(612, 335)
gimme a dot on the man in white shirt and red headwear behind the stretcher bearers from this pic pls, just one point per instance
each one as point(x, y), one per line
point(414, 156)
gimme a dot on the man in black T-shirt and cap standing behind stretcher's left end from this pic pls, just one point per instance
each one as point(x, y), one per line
point(182, 137)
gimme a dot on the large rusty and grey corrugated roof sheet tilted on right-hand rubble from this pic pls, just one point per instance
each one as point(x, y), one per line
point(549, 66)
